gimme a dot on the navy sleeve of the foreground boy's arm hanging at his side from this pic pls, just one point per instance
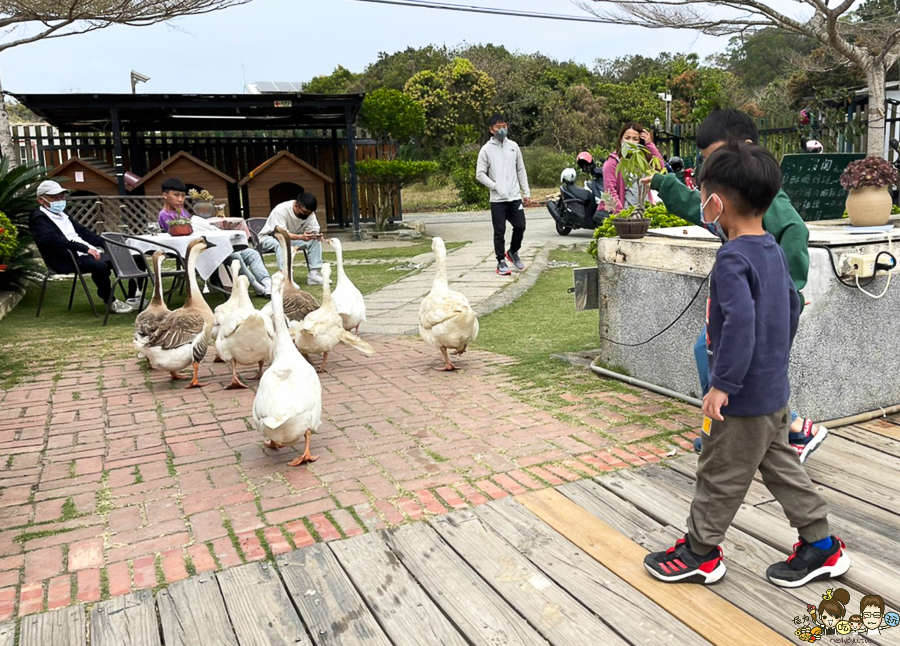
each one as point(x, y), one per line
point(734, 350)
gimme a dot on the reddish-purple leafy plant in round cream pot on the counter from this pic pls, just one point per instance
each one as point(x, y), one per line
point(869, 201)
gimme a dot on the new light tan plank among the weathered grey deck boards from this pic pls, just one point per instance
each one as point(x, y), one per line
point(698, 608)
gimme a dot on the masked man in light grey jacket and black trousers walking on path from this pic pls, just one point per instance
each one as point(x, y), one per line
point(502, 169)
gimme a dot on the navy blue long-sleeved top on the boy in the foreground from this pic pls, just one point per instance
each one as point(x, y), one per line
point(753, 315)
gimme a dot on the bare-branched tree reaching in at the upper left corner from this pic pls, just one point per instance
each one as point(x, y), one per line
point(55, 19)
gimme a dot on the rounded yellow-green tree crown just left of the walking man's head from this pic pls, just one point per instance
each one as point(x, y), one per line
point(457, 100)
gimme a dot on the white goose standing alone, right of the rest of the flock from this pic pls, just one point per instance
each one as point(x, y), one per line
point(446, 321)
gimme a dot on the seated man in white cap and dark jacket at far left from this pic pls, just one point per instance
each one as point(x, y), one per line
point(54, 233)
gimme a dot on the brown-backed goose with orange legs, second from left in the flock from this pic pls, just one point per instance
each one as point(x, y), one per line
point(183, 336)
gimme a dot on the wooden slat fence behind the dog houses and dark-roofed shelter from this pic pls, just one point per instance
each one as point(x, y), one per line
point(234, 154)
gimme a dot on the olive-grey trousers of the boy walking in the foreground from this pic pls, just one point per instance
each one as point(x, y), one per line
point(732, 452)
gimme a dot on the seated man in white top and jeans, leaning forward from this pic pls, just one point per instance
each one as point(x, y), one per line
point(299, 218)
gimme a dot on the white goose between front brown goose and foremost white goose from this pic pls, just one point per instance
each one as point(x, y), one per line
point(243, 334)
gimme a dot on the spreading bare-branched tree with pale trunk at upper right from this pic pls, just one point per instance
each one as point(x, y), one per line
point(870, 39)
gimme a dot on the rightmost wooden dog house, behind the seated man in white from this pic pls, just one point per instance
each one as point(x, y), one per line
point(278, 179)
